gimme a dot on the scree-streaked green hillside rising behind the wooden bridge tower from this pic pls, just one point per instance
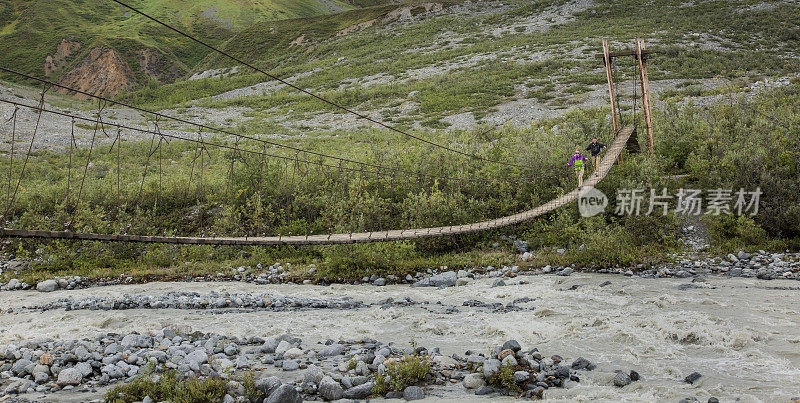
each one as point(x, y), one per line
point(476, 57)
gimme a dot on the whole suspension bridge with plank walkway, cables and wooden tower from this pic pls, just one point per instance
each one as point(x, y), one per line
point(621, 137)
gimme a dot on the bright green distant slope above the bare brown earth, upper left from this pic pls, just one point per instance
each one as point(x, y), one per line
point(30, 30)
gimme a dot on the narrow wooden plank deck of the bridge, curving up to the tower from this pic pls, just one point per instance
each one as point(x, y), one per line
point(611, 155)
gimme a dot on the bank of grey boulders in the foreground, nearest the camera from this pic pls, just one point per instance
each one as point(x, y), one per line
point(282, 369)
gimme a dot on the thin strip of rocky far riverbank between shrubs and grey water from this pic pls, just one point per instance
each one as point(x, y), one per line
point(761, 264)
